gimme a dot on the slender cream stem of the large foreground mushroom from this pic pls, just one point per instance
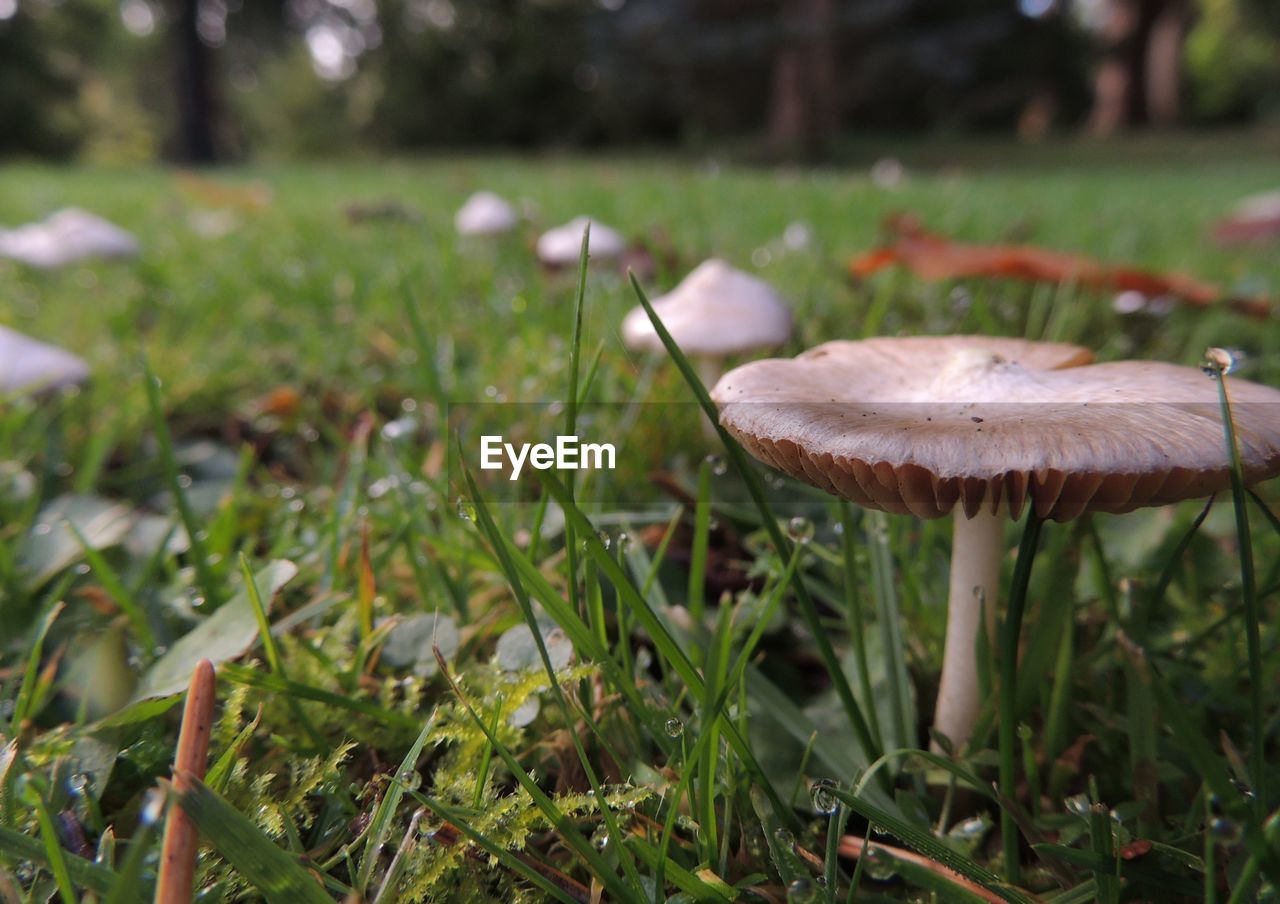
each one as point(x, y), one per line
point(971, 608)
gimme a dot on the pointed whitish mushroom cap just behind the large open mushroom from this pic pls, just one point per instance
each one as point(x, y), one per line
point(717, 311)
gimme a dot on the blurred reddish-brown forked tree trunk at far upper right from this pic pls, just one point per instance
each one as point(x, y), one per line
point(1137, 83)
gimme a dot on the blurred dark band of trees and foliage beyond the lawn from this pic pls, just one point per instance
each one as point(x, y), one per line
point(205, 80)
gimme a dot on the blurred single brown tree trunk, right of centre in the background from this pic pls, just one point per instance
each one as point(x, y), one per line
point(803, 106)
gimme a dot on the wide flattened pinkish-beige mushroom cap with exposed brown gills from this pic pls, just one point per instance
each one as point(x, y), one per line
point(922, 424)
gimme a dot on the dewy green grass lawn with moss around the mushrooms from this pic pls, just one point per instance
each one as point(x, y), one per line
point(692, 746)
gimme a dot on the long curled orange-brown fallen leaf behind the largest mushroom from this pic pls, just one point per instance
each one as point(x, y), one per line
point(932, 257)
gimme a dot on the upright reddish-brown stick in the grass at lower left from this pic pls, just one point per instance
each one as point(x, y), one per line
point(179, 855)
